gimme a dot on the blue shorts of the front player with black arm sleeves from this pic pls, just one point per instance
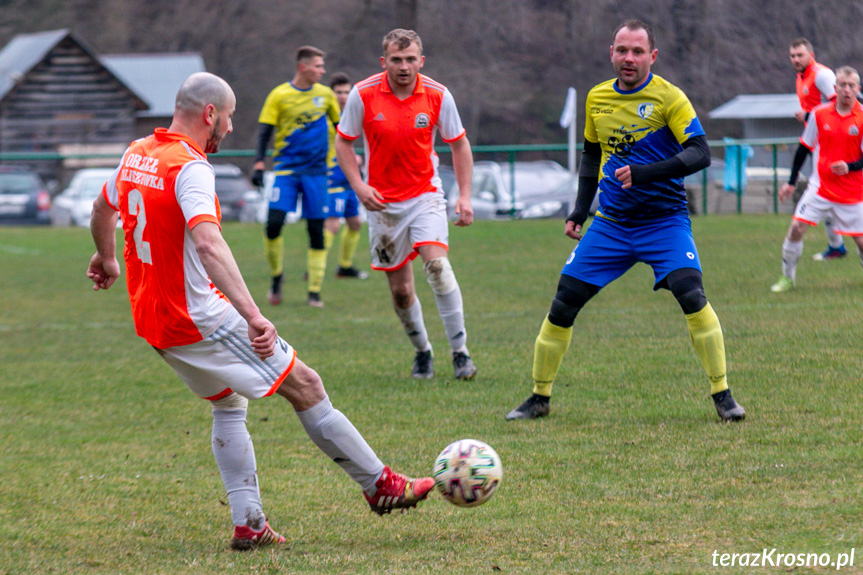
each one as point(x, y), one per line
point(609, 249)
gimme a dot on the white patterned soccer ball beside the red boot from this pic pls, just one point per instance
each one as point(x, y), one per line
point(467, 472)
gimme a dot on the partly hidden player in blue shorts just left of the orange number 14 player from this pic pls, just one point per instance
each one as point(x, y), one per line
point(343, 200)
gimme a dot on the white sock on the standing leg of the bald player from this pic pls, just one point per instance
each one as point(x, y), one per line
point(235, 456)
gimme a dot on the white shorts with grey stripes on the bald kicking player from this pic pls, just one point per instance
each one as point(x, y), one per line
point(224, 362)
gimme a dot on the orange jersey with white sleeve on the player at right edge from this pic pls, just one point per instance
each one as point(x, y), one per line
point(837, 138)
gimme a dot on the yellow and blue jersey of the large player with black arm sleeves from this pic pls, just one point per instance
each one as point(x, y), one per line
point(640, 126)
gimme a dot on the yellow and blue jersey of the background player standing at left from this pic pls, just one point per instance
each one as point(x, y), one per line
point(303, 120)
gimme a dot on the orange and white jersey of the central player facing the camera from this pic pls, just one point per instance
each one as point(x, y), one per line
point(398, 135)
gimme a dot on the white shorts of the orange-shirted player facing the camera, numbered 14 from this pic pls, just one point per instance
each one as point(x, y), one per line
point(398, 230)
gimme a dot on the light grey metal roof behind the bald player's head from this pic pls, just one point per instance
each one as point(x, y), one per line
point(155, 77)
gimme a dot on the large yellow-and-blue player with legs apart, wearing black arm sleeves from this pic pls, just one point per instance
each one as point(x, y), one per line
point(641, 138)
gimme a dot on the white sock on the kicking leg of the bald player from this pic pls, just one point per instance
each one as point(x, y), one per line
point(336, 436)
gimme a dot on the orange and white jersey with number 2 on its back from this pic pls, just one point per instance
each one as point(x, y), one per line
point(163, 187)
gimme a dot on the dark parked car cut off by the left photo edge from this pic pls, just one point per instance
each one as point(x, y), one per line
point(23, 196)
